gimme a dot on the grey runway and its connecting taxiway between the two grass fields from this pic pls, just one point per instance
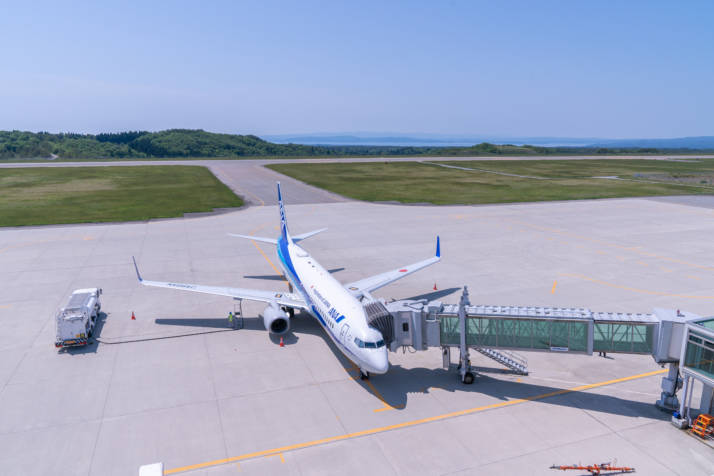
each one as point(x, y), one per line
point(256, 184)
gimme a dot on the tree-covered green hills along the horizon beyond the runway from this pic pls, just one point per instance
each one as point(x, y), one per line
point(180, 143)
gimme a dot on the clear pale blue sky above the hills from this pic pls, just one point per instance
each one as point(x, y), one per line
point(569, 68)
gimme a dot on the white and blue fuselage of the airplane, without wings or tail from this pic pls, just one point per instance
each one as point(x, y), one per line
point(338, 312)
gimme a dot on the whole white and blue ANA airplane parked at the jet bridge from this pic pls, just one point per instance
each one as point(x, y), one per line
point(340, 309)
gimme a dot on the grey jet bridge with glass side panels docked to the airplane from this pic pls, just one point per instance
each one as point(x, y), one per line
point(498, 331)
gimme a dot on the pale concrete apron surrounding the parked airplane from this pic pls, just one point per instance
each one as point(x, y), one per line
point(222, 401)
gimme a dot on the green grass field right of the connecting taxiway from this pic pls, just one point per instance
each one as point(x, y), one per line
point(496, 181)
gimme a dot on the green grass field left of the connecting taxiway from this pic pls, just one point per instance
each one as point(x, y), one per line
point(48, 195)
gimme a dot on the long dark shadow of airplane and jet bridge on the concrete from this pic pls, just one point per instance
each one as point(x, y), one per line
point(398, 383)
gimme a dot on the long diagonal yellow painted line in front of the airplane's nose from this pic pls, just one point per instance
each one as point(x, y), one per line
point(406, 424)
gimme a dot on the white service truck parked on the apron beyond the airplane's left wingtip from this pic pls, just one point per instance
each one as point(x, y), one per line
point(76, 320)
